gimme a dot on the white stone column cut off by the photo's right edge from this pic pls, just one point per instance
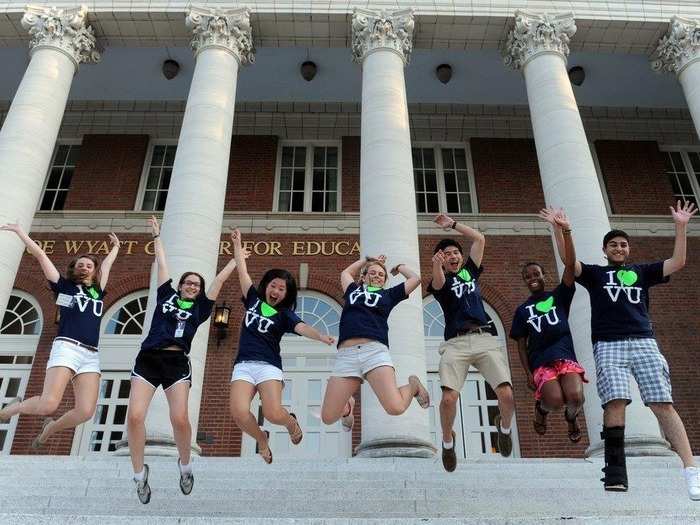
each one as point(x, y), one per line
point(679, 52)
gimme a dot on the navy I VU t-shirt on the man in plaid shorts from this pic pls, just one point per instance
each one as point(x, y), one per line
point(620, 299)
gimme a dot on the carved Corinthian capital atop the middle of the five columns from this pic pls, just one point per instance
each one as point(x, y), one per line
point(373, 30)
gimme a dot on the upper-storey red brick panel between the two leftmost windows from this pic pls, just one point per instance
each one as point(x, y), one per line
point(108, 172)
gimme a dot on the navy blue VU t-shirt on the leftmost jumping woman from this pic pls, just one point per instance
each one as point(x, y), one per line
point(81, 309)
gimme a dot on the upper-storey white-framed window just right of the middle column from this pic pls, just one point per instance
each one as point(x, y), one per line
point(443, 180)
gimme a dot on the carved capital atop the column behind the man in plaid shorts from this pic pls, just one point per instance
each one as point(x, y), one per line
point(534, 34)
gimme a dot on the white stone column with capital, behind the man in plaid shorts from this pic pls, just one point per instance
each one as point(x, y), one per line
point(538, 45)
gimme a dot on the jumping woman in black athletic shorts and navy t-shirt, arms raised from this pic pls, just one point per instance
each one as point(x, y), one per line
point(163, 361)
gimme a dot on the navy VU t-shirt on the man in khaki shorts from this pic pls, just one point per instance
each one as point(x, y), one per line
point(460, 299)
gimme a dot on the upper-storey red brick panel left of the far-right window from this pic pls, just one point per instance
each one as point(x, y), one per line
point(635, 177)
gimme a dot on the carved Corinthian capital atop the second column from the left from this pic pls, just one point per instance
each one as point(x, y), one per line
point(227, 29)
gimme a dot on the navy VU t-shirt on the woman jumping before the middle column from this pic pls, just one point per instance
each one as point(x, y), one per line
point(366, 311)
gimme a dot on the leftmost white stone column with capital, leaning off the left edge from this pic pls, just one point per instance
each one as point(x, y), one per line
point(60, 41)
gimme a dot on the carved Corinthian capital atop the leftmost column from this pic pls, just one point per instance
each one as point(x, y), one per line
point(62, 29)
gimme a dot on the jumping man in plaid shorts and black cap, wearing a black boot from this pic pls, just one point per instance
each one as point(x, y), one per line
point(624, 345)
